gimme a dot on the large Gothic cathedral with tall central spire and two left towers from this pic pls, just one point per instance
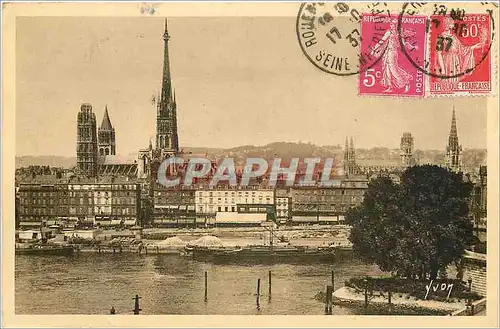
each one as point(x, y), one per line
point(96, 147)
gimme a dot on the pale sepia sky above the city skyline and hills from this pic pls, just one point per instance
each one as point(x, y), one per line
point(238, 81)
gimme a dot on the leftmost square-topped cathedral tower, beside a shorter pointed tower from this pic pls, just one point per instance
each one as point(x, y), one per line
point(86, 148)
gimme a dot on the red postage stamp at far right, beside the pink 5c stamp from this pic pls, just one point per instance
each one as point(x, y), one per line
point(460, 54)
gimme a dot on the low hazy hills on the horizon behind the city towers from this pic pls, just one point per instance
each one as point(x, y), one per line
point(374, 156)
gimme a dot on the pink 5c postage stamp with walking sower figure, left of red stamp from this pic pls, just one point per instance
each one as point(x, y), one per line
point(392, 74)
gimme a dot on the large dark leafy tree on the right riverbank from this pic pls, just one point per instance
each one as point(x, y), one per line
point(414, 228)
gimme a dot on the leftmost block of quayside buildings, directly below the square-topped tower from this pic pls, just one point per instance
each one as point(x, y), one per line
point(78, 204)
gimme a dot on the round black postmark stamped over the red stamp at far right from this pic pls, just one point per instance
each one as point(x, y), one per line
point(460, 41)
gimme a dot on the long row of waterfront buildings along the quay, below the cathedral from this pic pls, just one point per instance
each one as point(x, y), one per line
point(104, 202)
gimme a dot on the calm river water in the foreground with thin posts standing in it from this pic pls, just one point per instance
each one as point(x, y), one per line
point(171, 284)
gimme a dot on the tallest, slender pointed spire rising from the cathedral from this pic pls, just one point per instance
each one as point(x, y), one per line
point(167, 142)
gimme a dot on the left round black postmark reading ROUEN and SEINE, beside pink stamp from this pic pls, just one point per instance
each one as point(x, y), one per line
point(329, 35)
